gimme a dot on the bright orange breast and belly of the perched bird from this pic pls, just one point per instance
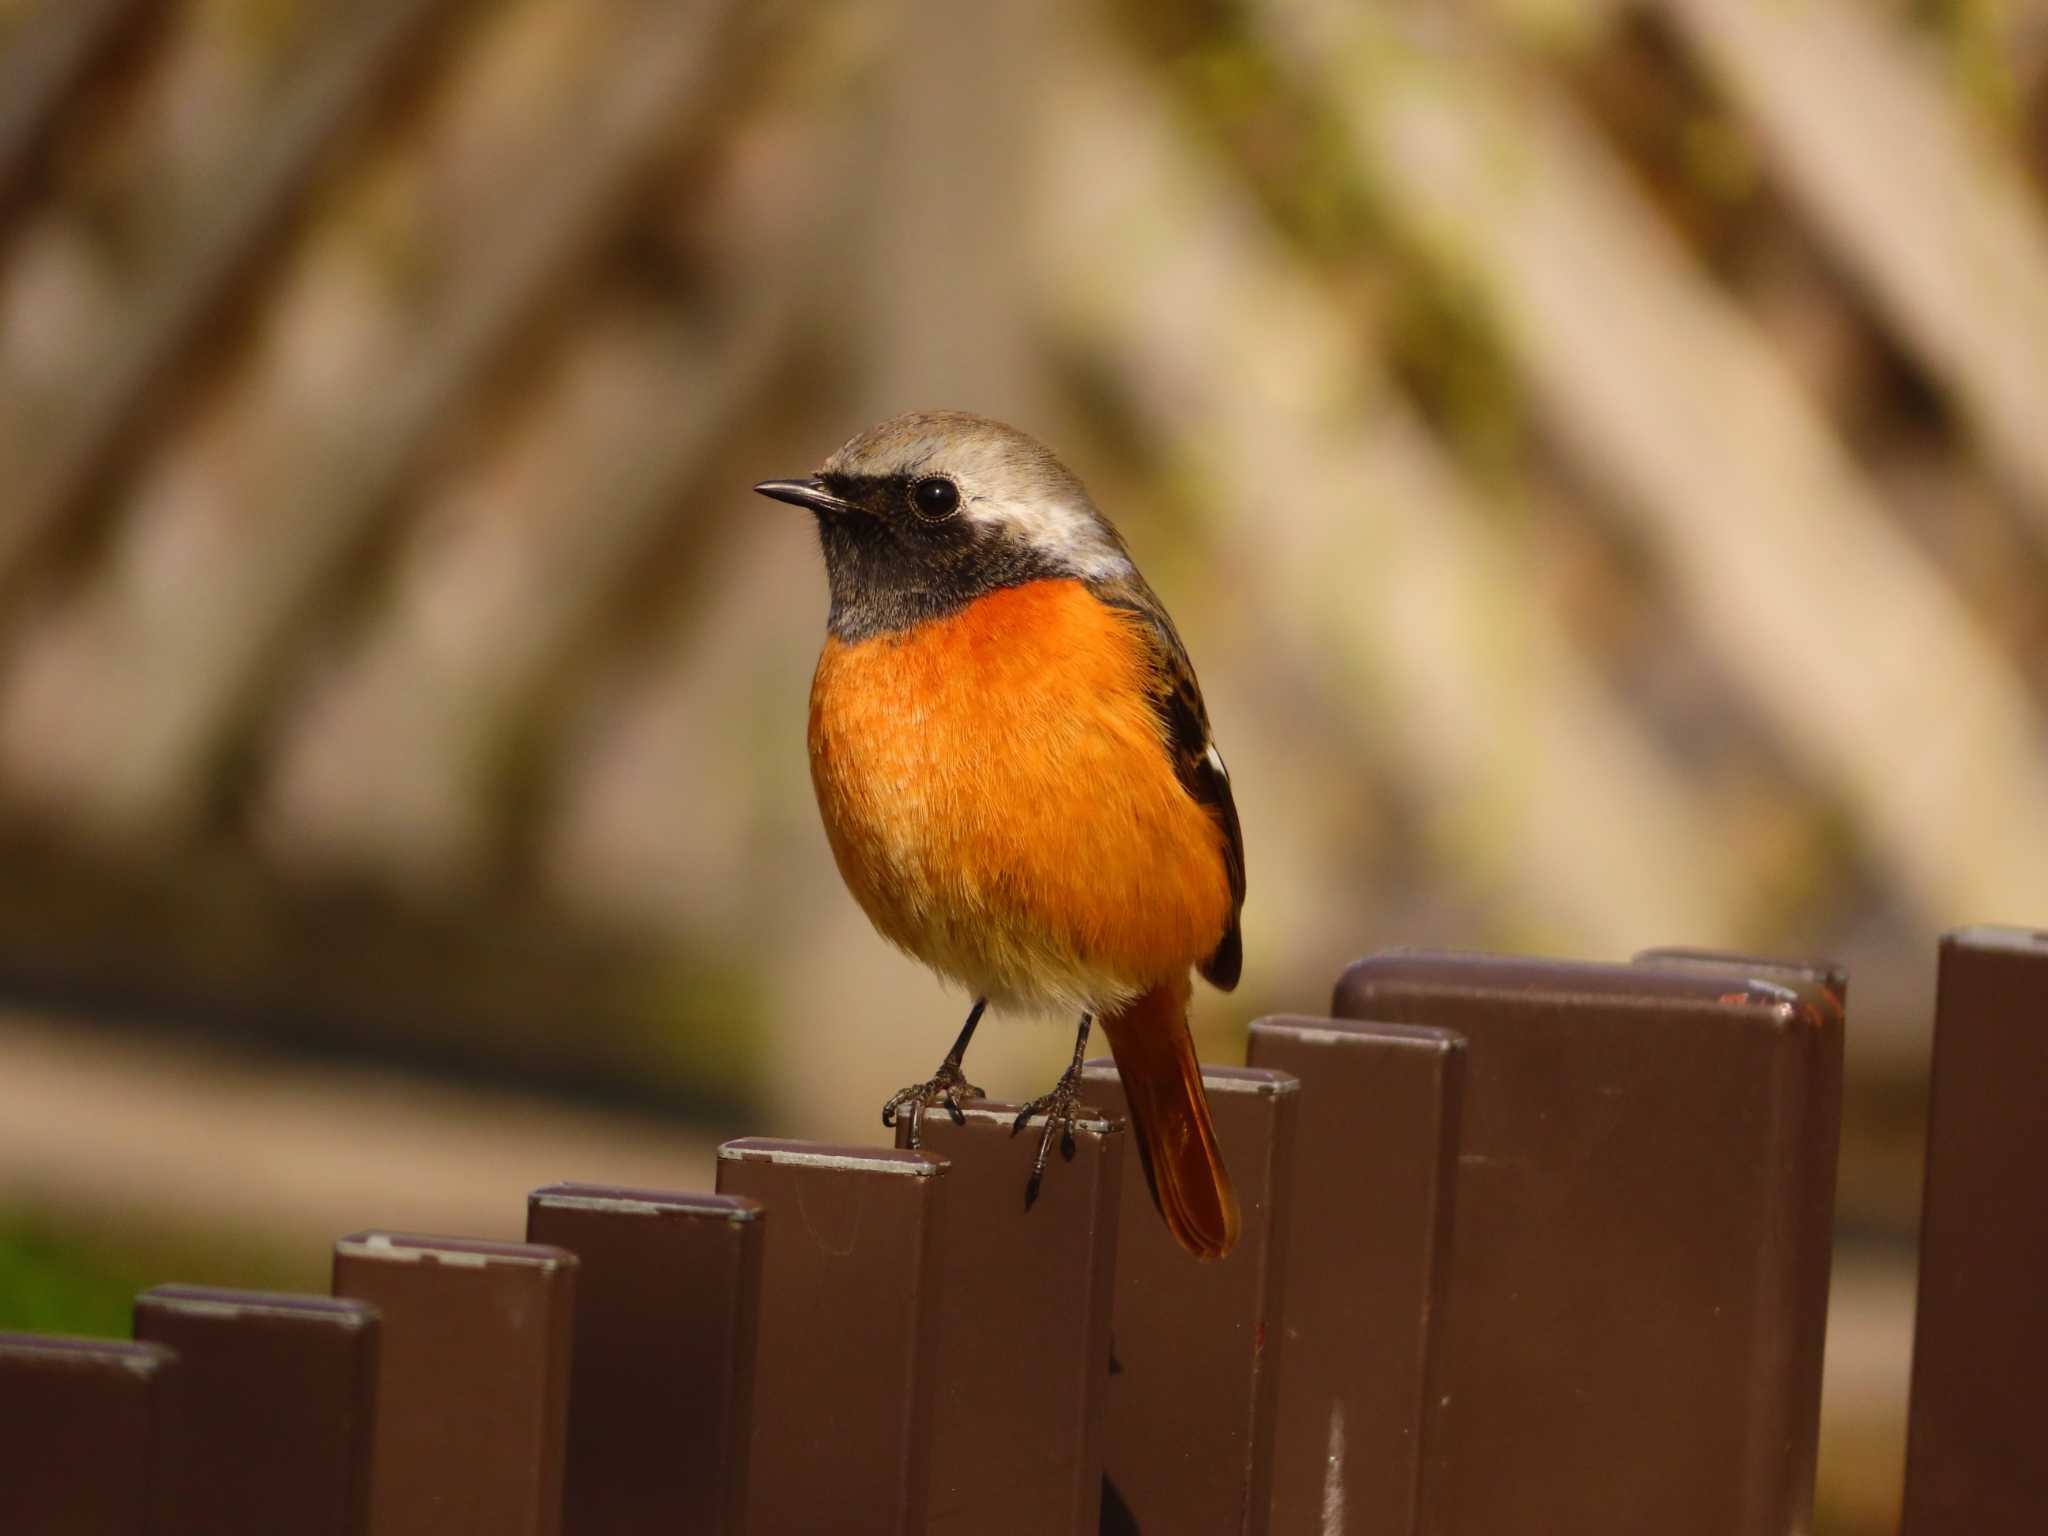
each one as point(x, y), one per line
point(1002, 806)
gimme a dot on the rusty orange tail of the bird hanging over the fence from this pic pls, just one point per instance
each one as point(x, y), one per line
point(1170, 1115)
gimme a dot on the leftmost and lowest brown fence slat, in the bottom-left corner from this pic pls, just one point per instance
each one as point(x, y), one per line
point(79, 1435)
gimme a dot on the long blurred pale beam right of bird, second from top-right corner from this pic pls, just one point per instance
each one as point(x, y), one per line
point(1783, 556)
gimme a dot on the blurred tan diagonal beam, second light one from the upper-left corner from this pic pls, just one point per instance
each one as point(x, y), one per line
point(159, 751)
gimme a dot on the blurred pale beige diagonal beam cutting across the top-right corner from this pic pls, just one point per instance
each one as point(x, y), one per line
point(1934, 216)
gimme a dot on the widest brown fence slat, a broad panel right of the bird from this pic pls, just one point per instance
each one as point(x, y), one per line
point(1625, 1328)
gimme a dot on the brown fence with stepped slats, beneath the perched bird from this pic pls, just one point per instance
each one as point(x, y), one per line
point(1529, 1246)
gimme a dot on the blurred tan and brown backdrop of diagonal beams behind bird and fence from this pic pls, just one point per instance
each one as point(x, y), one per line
point(1596, 454)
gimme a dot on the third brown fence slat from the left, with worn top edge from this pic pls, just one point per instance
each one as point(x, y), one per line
point(474, 1383)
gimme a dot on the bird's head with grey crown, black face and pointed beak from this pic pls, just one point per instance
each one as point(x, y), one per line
point(931, 511)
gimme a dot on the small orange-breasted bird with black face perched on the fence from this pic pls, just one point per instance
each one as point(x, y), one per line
point(1017, 777)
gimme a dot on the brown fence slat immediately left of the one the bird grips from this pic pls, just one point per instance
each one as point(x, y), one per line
point(849, 1334)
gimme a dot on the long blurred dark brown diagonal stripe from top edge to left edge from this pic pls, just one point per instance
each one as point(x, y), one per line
point(261, 191)
